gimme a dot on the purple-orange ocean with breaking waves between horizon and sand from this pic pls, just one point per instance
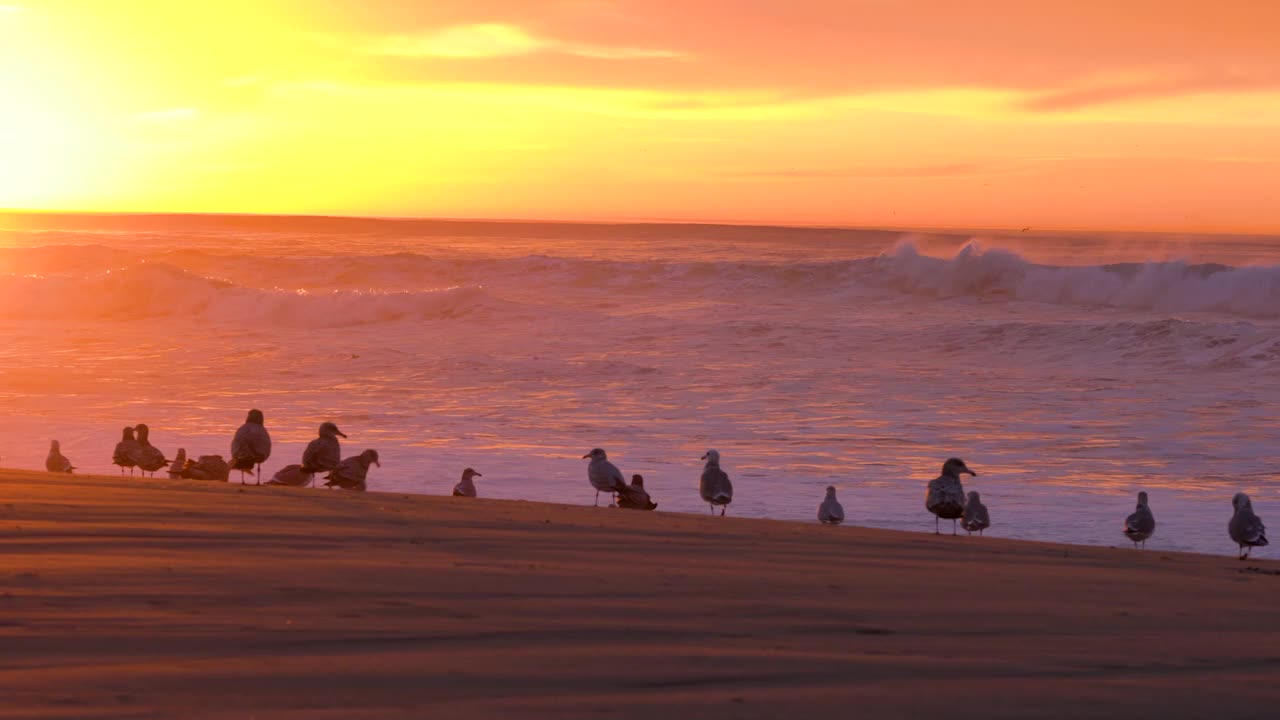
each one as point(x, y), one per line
point(1071, 371)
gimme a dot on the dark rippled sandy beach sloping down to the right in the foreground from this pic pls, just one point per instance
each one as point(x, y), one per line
point(162, 599)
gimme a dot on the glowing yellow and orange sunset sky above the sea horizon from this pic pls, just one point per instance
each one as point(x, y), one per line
point(1140, 116)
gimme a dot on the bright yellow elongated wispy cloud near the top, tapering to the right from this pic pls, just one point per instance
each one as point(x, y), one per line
point(499, 40)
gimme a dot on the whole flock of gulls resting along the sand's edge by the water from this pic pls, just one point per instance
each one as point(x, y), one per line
point(252, 446)
